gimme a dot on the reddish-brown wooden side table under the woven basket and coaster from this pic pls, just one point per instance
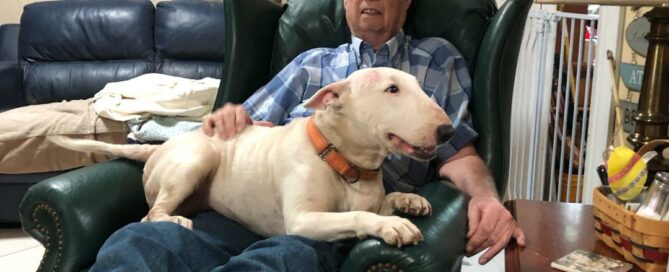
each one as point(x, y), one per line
point(552, 230)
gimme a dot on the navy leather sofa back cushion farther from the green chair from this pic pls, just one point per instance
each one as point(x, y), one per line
point(71, 49)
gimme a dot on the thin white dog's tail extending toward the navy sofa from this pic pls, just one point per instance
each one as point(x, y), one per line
point(131, 151)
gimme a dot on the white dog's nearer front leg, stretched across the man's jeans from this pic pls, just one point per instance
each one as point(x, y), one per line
point(331, 226)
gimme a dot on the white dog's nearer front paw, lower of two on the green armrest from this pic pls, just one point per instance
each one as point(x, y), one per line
point(398, 231)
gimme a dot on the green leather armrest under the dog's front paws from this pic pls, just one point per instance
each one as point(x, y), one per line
point(444, 232)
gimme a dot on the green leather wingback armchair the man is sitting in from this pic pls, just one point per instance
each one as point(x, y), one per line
point(73, 214)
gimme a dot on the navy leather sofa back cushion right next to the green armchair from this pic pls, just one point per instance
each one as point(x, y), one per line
point(189, 38)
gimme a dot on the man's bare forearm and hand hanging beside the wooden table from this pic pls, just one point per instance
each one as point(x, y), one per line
point(490, 224)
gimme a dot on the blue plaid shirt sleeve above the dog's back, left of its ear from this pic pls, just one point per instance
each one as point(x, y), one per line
point(274, 101)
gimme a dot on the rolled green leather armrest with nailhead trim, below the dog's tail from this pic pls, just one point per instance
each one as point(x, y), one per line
point(74, 213)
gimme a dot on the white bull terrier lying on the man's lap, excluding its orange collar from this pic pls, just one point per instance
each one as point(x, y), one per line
point(271, 179)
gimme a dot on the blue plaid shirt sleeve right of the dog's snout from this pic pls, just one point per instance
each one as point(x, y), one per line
point(453, 95)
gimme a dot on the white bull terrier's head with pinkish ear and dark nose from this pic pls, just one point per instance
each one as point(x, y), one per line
point(390, 107)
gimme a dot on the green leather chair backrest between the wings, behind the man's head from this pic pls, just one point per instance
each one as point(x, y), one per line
point(307, 24)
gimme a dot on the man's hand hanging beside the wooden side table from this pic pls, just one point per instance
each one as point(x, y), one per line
point(490, 225)
